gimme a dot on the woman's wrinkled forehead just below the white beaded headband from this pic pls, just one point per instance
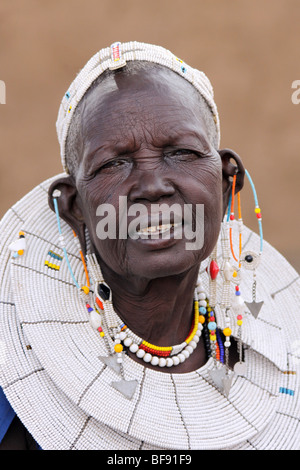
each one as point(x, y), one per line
point(125, 97)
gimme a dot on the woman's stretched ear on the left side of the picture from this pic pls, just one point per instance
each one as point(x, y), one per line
point(69, 206)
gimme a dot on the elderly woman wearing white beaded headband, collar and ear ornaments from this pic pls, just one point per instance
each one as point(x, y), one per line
point(122, 324)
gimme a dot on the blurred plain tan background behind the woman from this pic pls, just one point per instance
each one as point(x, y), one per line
point(248, 48)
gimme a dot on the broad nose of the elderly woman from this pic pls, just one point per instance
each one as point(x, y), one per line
point(150, 185)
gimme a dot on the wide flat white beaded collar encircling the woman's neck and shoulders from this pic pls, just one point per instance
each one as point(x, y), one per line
point(61, 369)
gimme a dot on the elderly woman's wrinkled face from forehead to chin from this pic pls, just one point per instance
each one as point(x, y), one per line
point(143, 138)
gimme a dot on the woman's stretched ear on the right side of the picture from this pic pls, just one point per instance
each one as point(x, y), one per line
point(229, 169)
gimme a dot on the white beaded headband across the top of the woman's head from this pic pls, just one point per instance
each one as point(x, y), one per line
point(114, 57)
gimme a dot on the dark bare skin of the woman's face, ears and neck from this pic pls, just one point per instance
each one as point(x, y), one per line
point(143, 137)
